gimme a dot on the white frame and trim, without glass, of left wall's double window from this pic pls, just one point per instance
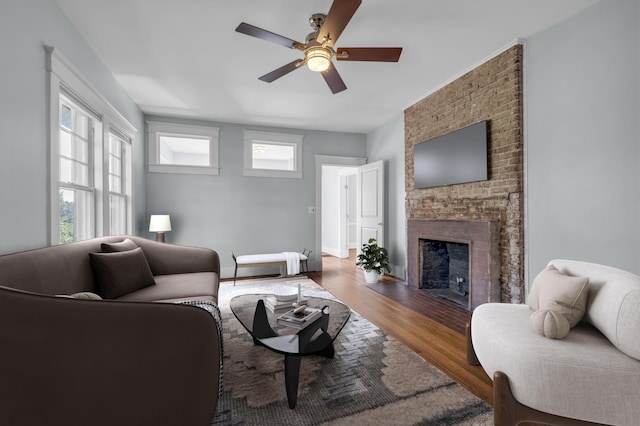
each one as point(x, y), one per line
point(64, 79)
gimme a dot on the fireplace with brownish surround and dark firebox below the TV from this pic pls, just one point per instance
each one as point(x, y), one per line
point(481, 278)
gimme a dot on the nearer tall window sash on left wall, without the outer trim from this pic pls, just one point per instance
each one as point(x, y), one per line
point(76, 188)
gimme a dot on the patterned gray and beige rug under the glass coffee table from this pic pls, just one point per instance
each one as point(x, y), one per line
point(373, 379)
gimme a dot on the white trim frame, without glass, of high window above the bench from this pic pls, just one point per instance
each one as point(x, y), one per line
point(271, 138)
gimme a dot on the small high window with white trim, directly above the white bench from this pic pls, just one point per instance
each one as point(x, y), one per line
point(269, 154)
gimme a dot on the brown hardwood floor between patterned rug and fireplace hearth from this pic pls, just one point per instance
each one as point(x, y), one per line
point(439, 345)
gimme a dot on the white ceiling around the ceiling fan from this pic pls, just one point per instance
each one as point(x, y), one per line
point(184, 59)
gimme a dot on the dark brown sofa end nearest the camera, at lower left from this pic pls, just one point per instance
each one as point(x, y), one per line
point(79, 362)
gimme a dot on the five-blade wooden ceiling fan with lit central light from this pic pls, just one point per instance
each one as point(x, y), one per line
point(318, 47)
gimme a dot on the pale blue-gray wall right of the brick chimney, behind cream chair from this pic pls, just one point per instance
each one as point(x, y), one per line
point(582, 105)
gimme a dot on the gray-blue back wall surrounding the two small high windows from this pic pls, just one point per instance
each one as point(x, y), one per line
point(246, 215)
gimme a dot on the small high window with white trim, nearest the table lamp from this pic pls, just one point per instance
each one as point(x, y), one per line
point(183, 148)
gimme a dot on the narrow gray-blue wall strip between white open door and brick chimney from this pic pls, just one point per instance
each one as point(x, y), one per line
point(387, 143)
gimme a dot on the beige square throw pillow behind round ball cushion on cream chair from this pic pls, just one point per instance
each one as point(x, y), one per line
point(559, 292)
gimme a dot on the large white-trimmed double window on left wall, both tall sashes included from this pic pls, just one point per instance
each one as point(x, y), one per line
point(90, 159)
